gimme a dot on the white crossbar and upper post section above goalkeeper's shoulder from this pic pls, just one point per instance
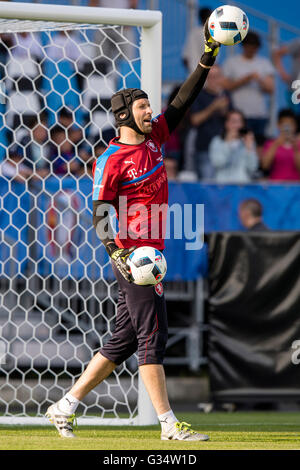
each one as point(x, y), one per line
point(151, 35)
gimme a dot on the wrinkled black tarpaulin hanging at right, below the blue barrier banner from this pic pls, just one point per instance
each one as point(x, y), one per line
point(254, 315)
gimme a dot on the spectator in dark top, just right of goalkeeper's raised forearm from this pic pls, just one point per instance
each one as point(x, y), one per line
point(207, 117)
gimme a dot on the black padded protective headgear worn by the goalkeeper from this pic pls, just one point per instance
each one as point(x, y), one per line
point(121, 105)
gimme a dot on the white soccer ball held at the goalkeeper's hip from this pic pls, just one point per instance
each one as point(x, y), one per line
point(147, 265)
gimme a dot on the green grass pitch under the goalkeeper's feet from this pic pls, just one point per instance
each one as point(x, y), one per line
point(227, 431)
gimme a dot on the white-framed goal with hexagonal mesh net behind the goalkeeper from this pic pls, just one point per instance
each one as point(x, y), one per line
point(59, 67)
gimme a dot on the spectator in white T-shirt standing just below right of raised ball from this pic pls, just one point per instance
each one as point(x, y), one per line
point(249, 79)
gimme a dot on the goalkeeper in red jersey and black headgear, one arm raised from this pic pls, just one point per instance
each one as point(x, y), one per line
point(132, 170)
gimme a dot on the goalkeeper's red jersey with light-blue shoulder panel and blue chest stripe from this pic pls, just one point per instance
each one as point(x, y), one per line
point(133, 178)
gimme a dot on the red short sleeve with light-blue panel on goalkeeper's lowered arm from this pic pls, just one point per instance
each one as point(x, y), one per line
point(106, 174)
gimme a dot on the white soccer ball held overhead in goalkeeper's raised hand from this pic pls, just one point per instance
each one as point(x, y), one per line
point(228, 25)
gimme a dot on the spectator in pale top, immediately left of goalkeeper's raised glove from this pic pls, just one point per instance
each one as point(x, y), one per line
point(194, 45)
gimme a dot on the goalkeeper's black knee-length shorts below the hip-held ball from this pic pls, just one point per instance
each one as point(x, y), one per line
point(141, 324)
